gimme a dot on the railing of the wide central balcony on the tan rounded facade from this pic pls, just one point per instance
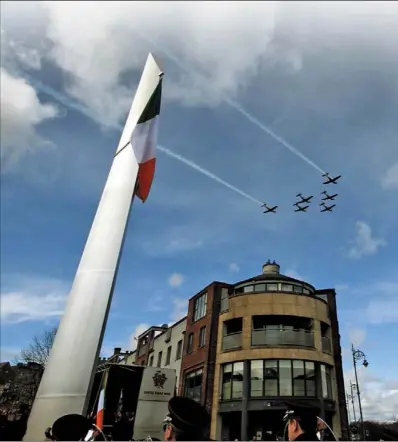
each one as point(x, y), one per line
point(298, 338)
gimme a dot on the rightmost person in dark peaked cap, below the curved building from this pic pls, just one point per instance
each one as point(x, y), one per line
point(301, 422)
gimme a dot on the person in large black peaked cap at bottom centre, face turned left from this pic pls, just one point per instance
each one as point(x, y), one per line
point(186, 420)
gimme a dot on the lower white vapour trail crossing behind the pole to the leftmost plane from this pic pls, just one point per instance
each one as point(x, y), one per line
point(67, 102)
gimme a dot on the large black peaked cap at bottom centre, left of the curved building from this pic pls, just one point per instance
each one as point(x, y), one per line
point(186, 415)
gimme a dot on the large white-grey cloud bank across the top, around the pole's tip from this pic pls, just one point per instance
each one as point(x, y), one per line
point(114, 39)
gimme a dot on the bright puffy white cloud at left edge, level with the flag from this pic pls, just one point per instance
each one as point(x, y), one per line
point(21, 113)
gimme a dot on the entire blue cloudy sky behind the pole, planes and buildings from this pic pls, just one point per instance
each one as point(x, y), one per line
point(259, 99)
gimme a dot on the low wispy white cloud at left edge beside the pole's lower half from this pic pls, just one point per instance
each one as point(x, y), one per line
point(33, 299)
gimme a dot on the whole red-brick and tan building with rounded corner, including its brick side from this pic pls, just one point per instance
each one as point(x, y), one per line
point(250, 346)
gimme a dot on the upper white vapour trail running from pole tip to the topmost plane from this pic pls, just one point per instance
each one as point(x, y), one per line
point(244, 112)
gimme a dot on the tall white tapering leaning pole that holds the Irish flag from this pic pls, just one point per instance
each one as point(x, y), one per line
point(69, 374)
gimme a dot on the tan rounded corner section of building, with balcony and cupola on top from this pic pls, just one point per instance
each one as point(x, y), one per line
point(274, 344)
